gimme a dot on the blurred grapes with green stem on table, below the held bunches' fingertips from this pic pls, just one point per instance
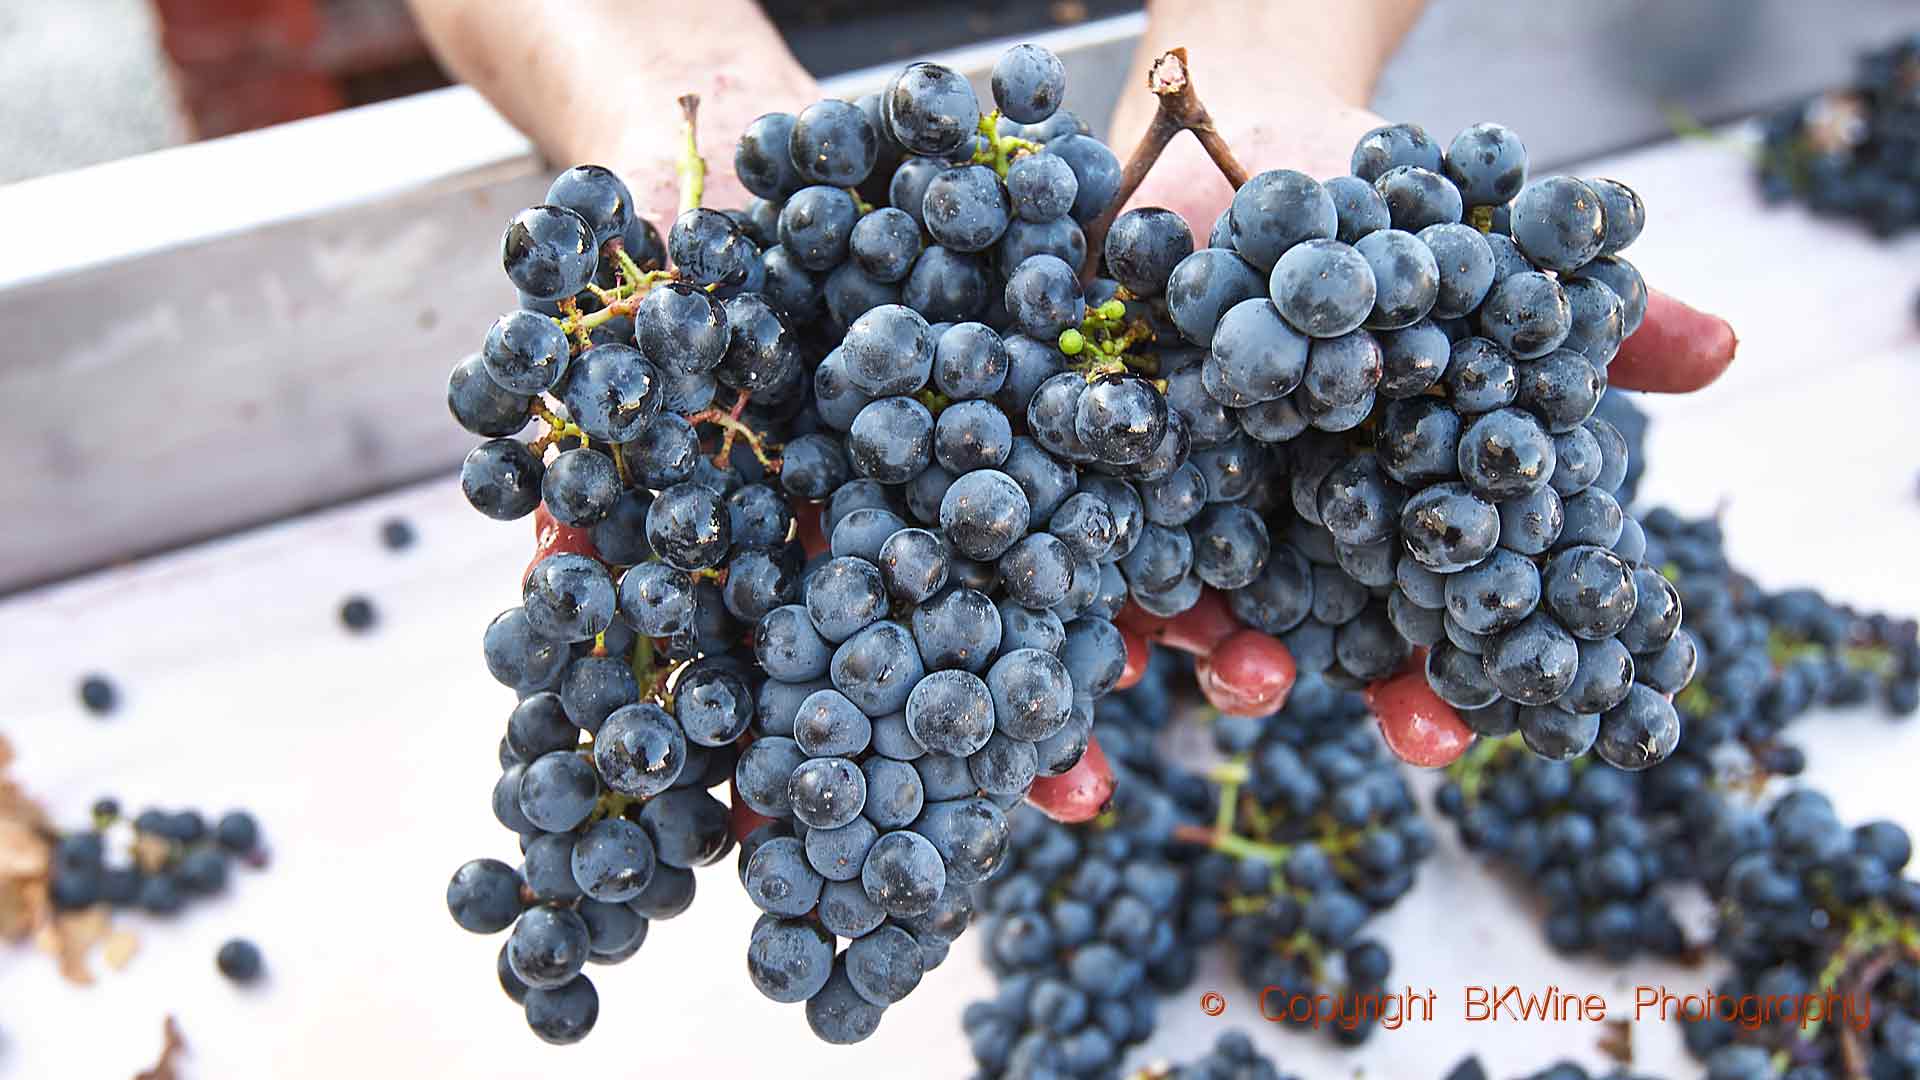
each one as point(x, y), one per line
point(1284, 854)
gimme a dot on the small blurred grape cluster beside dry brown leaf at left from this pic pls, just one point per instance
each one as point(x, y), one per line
point(156, 864)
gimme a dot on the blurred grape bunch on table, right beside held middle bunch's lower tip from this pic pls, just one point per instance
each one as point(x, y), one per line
point(1084, 935)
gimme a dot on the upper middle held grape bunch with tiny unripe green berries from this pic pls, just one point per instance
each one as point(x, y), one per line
point(969, 353)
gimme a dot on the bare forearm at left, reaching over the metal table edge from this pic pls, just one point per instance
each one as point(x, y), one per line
point(598, 80)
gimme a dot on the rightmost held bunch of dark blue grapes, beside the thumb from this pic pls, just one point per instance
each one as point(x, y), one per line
point(1428, 343)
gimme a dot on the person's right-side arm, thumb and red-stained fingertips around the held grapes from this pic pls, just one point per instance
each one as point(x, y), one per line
point(1308, 122)
